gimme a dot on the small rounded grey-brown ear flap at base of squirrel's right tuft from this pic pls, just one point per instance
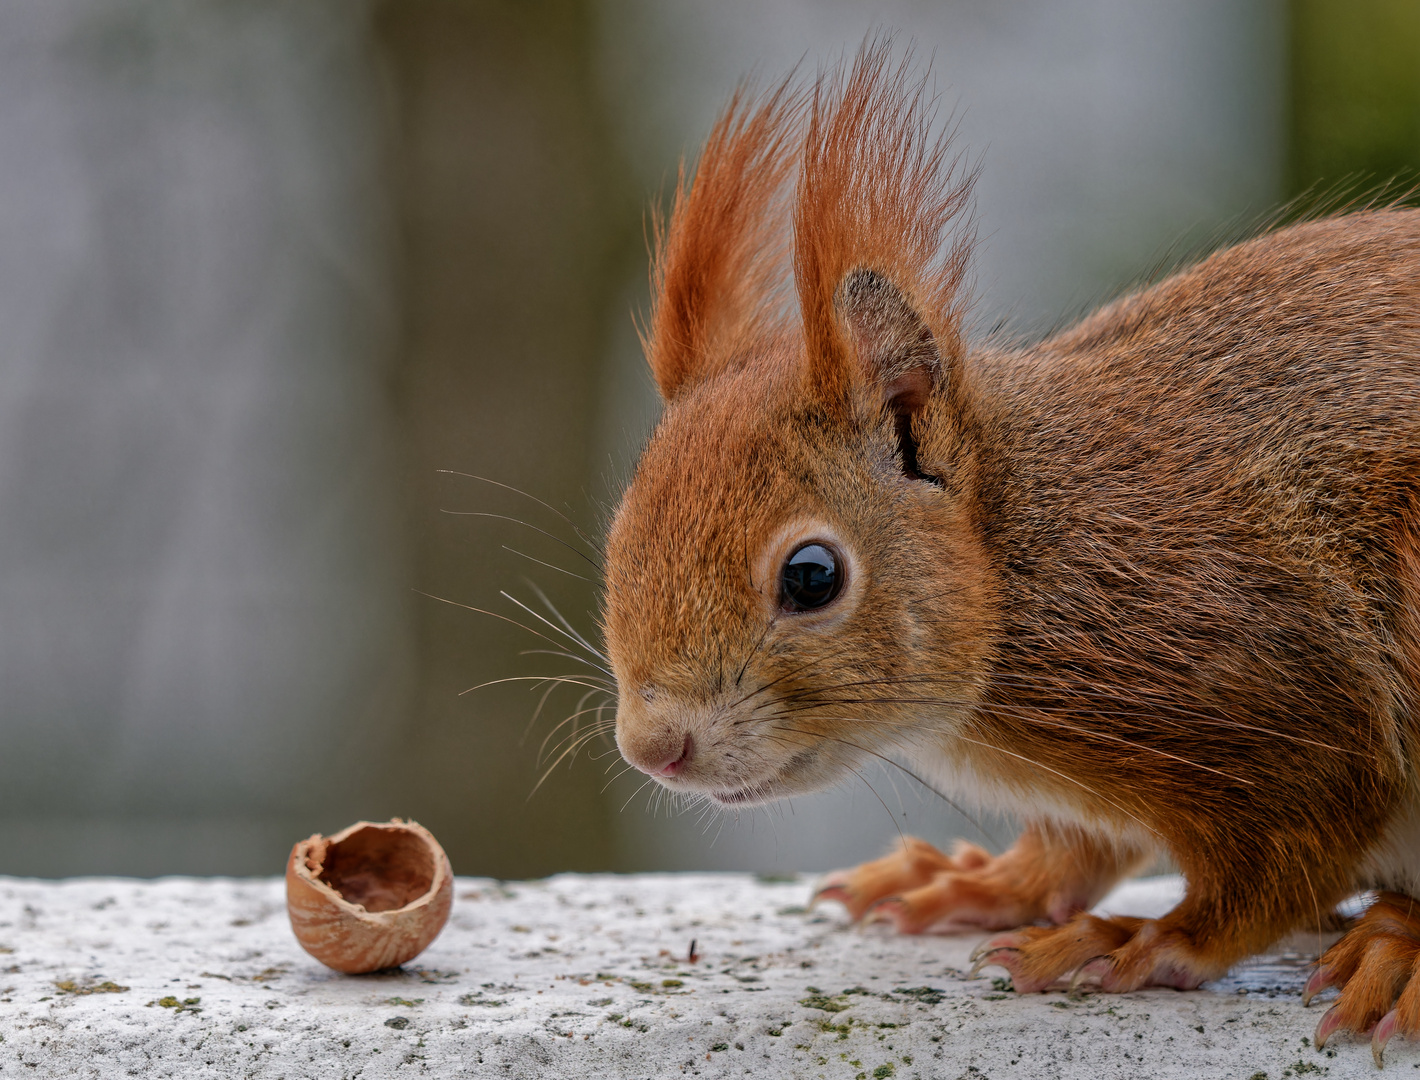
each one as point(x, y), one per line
point(895, 348)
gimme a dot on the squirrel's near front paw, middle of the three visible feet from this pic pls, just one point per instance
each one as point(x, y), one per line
point(1114, 954)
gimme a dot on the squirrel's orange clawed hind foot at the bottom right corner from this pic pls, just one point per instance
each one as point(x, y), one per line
point(1378, 970)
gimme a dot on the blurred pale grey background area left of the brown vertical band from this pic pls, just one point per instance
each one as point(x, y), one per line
point(204, 608)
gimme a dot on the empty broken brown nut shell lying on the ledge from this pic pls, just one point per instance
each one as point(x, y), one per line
point(370, 898)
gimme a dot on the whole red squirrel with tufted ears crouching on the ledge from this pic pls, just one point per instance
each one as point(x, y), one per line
point(1152, 584)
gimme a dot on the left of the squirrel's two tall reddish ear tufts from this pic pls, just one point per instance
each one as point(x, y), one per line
point(721, 259)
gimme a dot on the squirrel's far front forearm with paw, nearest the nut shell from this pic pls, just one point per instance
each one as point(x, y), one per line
point(1049, 875)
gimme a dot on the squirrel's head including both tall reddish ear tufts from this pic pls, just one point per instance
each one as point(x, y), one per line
point(796, 581)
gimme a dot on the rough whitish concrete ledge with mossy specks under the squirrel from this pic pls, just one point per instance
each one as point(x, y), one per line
point(583, 976)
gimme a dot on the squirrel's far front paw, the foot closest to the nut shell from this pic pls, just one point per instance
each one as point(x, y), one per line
point(919, 889)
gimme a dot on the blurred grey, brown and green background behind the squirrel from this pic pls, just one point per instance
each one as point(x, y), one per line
point(279, 279)
